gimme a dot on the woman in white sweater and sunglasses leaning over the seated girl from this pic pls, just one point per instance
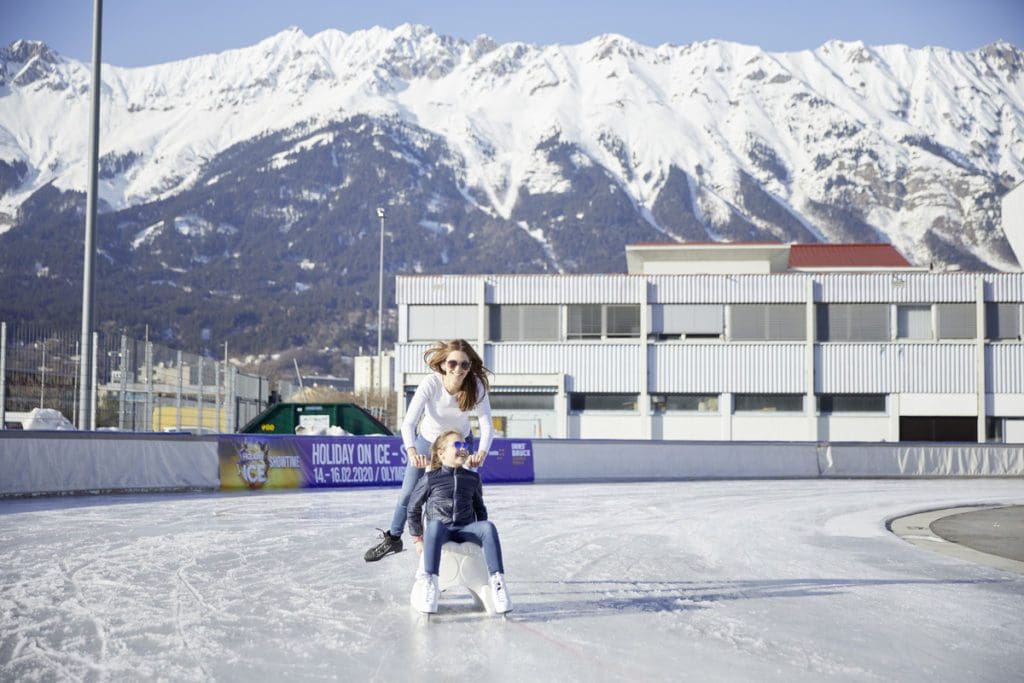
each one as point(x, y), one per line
point(445, 399)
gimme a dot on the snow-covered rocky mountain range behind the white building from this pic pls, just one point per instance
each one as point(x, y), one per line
point(562, 154)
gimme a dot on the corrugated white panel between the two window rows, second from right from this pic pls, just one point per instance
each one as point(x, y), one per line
point(895, 368)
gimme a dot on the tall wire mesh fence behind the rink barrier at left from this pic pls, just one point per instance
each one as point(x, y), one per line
point(139, 386)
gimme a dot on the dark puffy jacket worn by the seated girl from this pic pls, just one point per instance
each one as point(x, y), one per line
point(452, 496)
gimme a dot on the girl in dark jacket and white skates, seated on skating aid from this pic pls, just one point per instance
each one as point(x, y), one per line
point(455, 511)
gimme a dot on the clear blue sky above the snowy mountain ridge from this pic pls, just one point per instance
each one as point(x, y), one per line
point(147, 32)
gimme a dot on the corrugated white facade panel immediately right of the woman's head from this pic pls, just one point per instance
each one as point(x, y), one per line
point(593, 368)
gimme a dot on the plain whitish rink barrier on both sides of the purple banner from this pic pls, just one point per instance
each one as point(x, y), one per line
point(33, 463)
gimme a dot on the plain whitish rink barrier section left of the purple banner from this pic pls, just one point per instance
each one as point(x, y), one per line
point(34, 463)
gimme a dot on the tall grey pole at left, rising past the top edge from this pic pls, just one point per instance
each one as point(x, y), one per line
point(86, 354)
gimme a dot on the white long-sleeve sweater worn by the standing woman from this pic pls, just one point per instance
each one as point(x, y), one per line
point(441, 412)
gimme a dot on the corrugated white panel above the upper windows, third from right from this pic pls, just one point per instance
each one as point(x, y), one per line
point(730, 289)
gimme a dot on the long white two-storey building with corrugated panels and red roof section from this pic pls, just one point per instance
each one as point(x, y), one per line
point(737, 343)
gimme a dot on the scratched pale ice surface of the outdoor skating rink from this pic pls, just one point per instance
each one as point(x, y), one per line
point(780, 581)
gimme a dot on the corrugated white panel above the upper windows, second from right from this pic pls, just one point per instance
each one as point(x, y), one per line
point(895, 287)
